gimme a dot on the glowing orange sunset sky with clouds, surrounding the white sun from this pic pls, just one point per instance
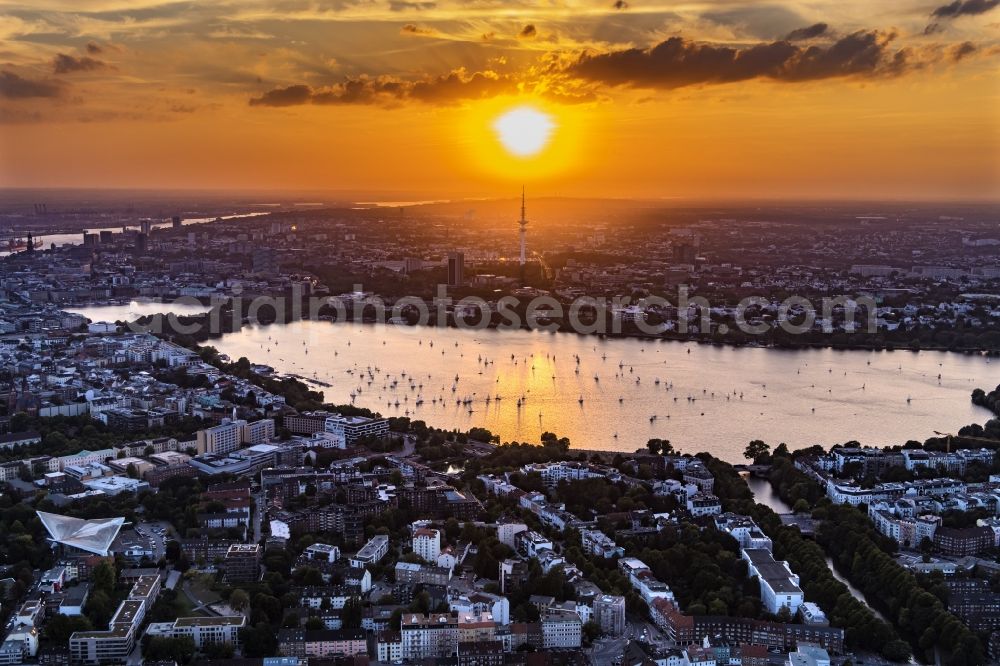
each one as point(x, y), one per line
point(795, 98)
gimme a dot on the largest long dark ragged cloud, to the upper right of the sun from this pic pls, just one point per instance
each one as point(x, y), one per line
point(678, 62)
